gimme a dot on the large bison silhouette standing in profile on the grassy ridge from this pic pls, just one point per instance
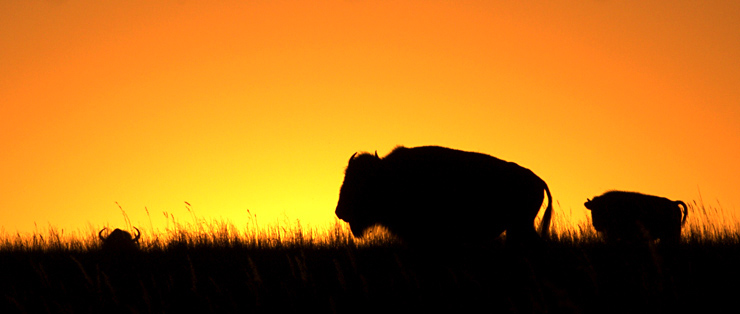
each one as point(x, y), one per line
point(434, 194)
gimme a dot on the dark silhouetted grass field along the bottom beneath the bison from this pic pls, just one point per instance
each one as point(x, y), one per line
point(206, 271)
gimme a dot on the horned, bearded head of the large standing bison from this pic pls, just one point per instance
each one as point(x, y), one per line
point(360, 192)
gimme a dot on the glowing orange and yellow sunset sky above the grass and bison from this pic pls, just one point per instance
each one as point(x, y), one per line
point(236, 105)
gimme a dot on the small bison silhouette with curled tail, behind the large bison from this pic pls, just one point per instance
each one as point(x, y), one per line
point(635, 217)
